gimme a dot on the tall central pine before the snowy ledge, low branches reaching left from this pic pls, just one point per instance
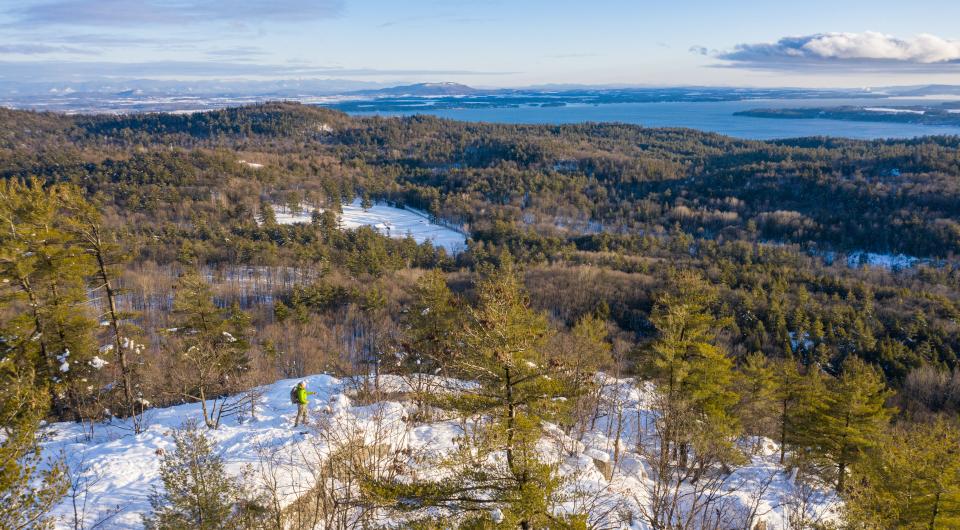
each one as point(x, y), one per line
point(516, 392)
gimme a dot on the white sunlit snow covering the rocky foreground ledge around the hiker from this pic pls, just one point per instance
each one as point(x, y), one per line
point(123, 467)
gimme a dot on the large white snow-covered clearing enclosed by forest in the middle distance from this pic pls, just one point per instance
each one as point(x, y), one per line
point(389, 221)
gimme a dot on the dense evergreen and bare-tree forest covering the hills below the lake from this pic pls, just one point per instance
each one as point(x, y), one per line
point(712, 267)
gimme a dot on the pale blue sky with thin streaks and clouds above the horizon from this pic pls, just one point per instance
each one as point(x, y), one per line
point(486, 43)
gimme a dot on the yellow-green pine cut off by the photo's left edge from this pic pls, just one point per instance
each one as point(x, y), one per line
point(43, 274)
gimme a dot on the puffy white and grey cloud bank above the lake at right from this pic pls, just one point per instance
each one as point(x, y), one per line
point(857, 51)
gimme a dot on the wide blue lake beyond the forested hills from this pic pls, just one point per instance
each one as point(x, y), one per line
point(706, 116)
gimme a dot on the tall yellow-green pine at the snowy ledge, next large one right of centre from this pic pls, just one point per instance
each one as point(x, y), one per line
point(694, 405)
